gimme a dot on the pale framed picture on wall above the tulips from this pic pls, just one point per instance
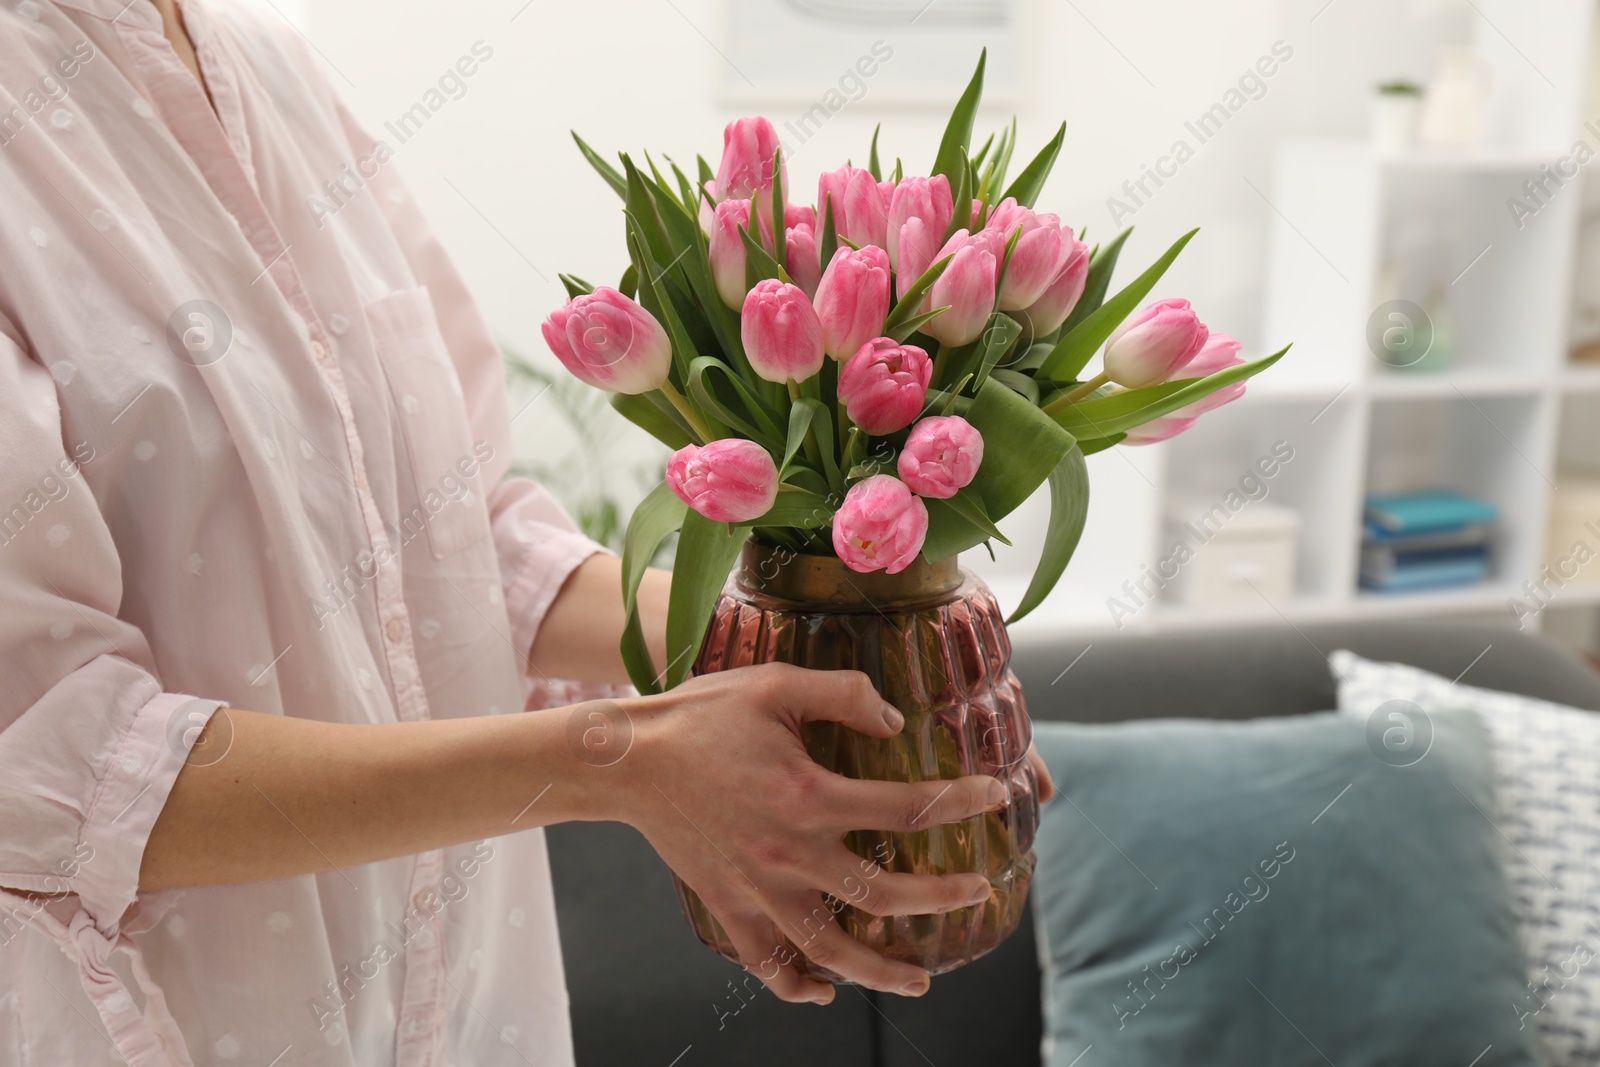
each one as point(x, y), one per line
point(828, 54)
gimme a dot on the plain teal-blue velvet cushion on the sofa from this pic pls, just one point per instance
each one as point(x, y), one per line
point(1276, 892)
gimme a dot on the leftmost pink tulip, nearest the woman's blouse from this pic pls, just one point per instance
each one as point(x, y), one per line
point(610, 342)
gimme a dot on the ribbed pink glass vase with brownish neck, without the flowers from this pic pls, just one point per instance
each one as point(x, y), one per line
point(934, 642)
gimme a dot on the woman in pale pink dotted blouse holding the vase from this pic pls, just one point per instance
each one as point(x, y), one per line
point(270, 605)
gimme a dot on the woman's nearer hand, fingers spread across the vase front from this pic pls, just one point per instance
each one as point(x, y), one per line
point(721, 785)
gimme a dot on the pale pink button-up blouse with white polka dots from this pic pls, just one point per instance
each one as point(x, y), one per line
point(250, 454)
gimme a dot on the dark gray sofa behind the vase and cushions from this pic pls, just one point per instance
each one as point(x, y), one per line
point(646, 991)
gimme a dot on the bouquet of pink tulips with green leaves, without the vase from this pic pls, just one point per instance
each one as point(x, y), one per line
point(881, 377)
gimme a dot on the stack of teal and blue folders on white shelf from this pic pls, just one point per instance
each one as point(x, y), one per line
point(1426, 541)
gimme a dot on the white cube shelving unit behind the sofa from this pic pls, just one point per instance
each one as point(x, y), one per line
point(1500, 420)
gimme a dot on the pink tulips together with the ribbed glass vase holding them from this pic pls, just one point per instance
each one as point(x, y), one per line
point(857, 393)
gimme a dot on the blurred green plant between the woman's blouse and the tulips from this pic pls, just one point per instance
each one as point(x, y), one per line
point(583, 478)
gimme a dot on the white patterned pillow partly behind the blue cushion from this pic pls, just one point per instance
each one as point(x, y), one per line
point(1548, 786)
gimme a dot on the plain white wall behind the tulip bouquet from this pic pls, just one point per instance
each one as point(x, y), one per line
point(516, 204)
